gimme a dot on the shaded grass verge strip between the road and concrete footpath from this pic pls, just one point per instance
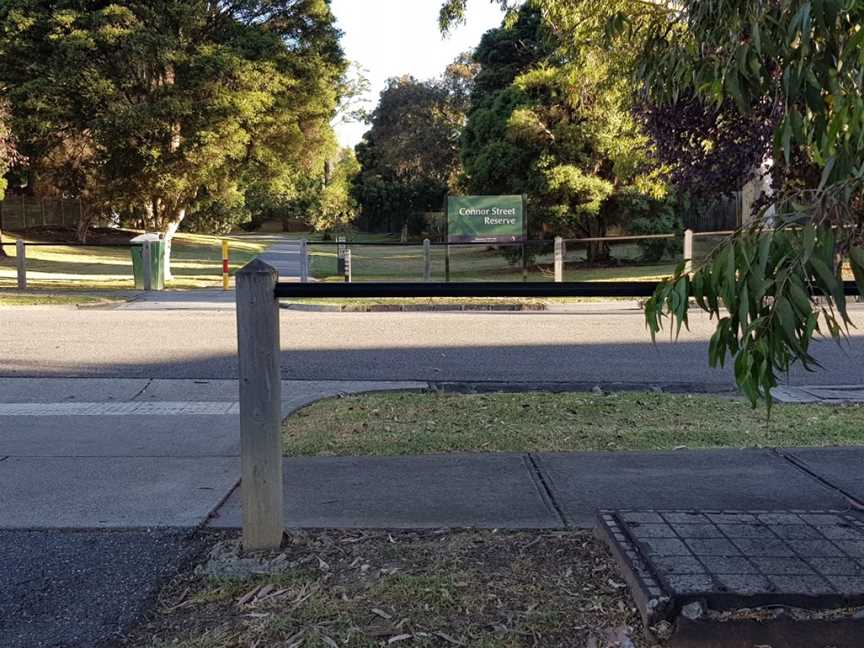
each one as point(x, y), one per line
point(429, 423)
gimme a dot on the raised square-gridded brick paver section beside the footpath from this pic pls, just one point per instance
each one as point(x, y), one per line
point(734, 559)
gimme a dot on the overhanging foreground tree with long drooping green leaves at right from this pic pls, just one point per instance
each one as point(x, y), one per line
point(804, 58)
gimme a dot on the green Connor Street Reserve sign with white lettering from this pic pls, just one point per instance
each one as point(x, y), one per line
point(486, 219)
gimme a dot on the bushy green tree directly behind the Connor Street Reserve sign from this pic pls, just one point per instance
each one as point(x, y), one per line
point(556, 126)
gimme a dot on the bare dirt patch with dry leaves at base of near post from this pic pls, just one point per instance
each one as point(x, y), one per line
point(344, 588)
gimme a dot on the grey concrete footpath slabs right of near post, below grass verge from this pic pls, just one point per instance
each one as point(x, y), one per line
point(528, 491)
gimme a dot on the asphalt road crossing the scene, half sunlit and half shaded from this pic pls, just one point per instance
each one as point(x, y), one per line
point(593, 346)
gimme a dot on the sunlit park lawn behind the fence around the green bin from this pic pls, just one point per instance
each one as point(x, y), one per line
point(196, 263)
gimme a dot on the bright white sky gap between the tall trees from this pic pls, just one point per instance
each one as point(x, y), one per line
point(391, 38)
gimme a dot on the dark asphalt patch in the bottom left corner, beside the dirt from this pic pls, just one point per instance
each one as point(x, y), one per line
point(80, 589)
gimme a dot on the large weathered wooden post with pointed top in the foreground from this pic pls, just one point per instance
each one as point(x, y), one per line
point(260, 406)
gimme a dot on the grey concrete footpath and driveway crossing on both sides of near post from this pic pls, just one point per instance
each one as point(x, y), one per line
point(89, 453)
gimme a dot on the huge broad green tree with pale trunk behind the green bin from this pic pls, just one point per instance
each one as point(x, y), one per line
point(172, 100)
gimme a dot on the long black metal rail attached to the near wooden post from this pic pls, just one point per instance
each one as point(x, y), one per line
point(373, 290)
